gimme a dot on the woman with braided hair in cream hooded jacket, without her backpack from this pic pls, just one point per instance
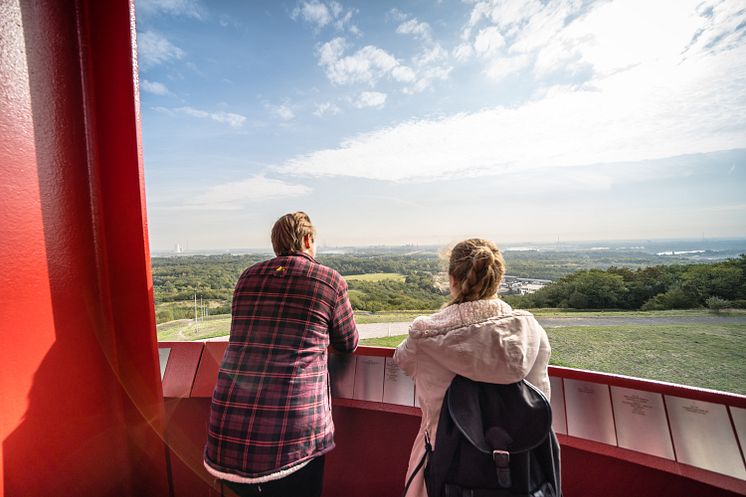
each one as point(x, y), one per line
point(476, 335)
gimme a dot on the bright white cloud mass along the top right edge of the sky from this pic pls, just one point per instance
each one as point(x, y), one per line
point(597, 38)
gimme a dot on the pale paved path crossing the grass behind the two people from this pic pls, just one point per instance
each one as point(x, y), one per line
point(378, 330)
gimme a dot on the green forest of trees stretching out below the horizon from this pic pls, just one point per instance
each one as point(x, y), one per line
point(178, 280)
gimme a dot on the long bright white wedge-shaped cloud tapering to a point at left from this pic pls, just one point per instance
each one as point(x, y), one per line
point(660, 108)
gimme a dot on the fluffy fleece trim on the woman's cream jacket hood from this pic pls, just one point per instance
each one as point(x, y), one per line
point(459, 315)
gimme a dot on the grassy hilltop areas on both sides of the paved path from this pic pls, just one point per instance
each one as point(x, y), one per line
point(702, 355)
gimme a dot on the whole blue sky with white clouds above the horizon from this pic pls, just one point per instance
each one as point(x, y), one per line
point(429, 121)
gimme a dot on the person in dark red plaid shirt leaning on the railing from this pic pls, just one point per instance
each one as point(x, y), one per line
point(270, 417)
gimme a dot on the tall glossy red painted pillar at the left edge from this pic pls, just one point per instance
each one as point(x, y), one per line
point(81, 408)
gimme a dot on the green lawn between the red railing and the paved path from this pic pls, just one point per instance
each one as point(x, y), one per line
point(711, 356)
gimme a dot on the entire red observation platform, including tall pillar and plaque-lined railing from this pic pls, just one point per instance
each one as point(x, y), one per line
point(92, 405)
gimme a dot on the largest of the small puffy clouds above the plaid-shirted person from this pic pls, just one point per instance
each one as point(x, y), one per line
point(367, 65)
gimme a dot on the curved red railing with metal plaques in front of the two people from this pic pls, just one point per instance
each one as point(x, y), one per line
point(374, 437)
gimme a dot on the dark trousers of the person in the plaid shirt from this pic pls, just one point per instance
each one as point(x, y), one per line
point(306, 482)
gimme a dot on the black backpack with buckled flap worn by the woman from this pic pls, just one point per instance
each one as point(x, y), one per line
point(493, 441)
